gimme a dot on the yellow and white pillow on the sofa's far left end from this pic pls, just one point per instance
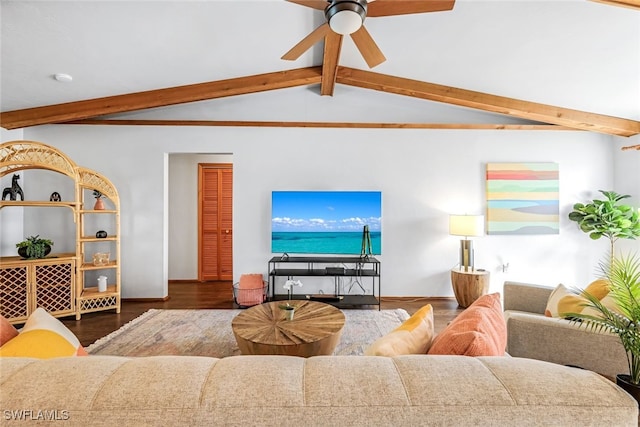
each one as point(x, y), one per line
point(43, 337)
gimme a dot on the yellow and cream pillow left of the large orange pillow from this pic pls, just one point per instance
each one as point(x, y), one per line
point(414, 336)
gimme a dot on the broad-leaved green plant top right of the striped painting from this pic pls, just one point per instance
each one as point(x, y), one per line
point(607, 218)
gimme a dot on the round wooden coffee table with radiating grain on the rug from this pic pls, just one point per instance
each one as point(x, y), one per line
point(315, 329)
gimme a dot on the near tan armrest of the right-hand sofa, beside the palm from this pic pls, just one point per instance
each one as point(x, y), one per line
point(563, 342)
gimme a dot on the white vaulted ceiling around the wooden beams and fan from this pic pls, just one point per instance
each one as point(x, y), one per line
point(573, 54)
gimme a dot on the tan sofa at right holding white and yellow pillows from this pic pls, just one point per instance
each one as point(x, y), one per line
point(530, 334)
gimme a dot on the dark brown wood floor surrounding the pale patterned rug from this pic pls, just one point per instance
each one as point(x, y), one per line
point(219, 295)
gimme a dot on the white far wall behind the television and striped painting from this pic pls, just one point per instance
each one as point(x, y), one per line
point(423, 174)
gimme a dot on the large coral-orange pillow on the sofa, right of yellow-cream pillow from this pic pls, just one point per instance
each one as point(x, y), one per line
point(480, 330)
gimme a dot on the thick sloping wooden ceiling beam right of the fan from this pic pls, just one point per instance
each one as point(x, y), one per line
point(544, 113)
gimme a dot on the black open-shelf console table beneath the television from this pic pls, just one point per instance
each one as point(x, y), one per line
point(362, 272)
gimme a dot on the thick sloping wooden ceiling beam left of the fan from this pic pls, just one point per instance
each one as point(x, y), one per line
point(78, 110)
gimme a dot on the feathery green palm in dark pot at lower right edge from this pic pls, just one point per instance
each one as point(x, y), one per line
point(623, 320)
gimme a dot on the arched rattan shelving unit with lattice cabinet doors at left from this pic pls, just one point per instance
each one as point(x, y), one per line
point(60, 282)
